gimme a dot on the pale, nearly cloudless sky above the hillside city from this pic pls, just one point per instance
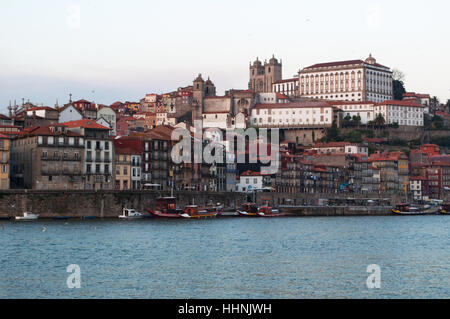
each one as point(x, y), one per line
point(107, 50)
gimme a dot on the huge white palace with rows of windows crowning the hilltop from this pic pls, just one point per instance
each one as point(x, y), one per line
point(354, 80)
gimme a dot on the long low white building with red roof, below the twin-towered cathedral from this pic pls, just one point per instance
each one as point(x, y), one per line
point(301, 114)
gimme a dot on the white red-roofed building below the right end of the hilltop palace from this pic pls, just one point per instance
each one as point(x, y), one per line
point(404, 113)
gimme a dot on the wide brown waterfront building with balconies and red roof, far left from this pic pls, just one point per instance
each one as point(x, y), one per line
point(48, 157)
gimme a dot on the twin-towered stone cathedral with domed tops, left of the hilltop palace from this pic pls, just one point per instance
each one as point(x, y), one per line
point(262, 77)
